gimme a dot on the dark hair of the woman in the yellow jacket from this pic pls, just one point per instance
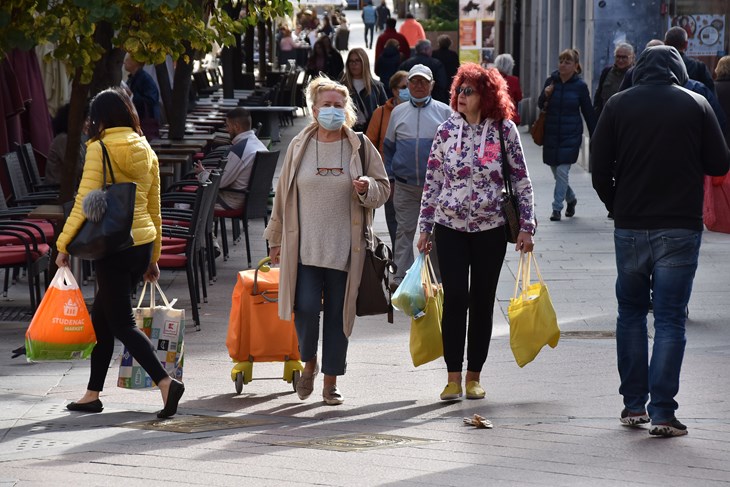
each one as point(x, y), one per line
point(112, 108)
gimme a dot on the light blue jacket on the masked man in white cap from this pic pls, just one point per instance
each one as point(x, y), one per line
point(409, 137)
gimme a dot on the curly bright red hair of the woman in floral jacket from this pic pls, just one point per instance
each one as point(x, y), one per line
point(492, 89)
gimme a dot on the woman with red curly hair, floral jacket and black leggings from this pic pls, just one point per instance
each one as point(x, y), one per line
point(462, 205)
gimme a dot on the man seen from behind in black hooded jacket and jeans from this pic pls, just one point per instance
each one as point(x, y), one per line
point(651, 149)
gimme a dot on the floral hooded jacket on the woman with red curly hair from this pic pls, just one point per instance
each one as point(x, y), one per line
point(464, 184)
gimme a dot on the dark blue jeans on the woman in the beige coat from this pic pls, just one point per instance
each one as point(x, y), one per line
point(321, 289)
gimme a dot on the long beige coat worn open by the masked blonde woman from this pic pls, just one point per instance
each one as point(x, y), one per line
point(283, 229)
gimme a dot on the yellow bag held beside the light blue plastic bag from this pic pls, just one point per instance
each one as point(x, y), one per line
point(425, 341)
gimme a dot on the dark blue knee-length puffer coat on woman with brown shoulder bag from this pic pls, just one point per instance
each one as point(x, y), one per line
point(563, 125)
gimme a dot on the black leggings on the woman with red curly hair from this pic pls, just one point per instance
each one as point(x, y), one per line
point(458, 253)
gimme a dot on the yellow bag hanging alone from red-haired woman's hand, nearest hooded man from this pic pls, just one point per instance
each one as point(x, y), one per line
point(532, 320)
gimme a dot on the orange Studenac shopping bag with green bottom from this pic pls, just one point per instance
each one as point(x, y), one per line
point(61, 328)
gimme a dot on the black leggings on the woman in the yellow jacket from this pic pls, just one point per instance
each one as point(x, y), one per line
point(112, 315)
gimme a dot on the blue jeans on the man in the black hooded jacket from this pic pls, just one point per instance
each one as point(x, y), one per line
point(659, 265)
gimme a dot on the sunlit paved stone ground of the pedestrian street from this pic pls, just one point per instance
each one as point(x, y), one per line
point(555, 420)
